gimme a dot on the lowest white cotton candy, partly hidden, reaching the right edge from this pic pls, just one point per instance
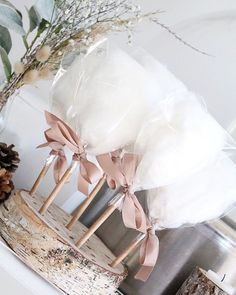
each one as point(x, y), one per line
point(204, 196)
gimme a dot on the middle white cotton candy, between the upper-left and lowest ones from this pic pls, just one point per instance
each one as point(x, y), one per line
point(180, 139)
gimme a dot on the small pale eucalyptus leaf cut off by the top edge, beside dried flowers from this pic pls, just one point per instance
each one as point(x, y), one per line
point(46, 9)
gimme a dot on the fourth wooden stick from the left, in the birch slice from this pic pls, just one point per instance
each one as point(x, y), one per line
point(112, 207)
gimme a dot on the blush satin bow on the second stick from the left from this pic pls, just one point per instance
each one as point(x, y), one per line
point(60, 134)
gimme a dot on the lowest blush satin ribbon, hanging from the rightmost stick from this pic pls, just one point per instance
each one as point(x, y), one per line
point(149, 252)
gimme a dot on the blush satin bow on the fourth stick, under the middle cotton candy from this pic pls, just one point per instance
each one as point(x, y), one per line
point(132, 212)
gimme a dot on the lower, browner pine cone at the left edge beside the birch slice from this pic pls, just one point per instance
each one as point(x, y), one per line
point(6, 184)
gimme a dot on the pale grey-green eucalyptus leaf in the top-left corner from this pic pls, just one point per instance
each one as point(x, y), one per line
point(10, 18)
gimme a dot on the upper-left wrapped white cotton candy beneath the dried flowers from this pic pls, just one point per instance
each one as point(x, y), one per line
point(106, 96)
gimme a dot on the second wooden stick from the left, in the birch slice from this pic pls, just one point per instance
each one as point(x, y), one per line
point(58, 187)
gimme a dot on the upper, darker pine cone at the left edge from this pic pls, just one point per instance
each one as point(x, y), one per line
point(9, 159)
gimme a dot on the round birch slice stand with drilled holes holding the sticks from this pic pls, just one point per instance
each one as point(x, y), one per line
point(48, 247)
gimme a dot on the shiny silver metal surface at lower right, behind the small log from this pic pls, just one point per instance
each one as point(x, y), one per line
point(210, 247)
